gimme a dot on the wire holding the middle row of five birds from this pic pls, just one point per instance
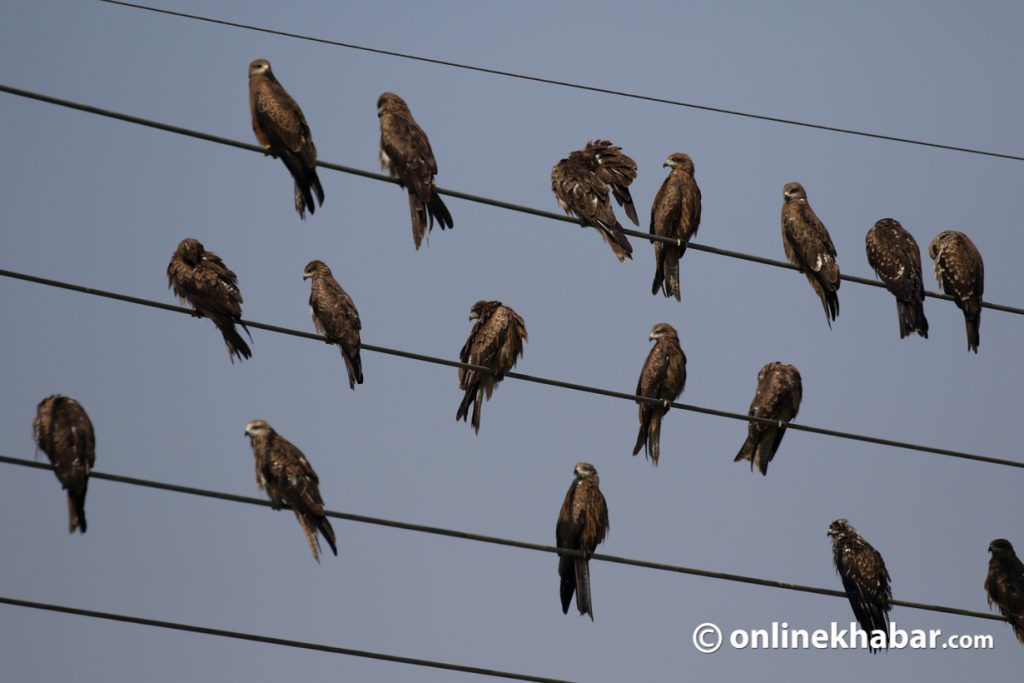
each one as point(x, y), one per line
point(528, 378)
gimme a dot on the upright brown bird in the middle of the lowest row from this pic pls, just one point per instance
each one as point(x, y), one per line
point(583, 524)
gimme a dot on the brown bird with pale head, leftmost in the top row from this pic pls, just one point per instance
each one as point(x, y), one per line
point(282, 131)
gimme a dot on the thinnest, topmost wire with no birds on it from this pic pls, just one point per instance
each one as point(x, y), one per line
point(568, 84)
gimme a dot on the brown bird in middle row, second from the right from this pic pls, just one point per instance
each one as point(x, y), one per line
point(663, 377)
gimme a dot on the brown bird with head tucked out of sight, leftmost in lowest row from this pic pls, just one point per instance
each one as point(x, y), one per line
point(65, 434)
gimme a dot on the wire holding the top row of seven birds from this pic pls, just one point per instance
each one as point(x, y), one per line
point(127, 118)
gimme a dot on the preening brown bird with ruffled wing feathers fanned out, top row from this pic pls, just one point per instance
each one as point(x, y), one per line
point(582, 182)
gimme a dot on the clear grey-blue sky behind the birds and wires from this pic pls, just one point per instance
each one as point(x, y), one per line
point(103, 203)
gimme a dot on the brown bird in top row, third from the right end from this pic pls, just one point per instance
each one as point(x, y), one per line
point(809, 247)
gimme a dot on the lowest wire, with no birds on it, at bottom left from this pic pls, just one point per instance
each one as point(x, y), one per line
point(270, 641)
